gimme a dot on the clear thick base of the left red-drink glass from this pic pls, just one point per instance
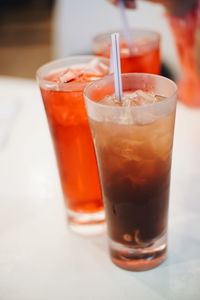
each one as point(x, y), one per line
point(86, 224)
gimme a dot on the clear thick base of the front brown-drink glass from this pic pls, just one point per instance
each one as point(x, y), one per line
point(139, 259)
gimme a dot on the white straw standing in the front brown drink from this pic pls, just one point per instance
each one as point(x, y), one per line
point(116, 65)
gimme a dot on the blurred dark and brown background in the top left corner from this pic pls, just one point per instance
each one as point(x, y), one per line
point(25, 36)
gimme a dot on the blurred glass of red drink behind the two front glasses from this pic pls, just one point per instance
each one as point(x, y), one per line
point(143, 55)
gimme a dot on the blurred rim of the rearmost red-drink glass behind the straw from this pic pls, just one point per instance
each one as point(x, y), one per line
point(103, 36)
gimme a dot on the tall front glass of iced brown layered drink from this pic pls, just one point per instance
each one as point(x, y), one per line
point(133, 141)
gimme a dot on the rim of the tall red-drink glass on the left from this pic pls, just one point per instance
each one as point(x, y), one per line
point(40, 78)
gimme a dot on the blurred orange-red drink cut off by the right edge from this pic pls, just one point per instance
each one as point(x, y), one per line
point(187, 37)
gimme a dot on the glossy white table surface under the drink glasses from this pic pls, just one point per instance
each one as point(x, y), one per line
point(41, 259)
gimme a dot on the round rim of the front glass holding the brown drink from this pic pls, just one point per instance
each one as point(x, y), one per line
point(101, 105)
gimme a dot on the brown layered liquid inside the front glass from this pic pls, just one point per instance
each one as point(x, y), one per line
point(134, 163)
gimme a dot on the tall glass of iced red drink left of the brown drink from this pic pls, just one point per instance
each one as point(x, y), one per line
point(61, 84)
